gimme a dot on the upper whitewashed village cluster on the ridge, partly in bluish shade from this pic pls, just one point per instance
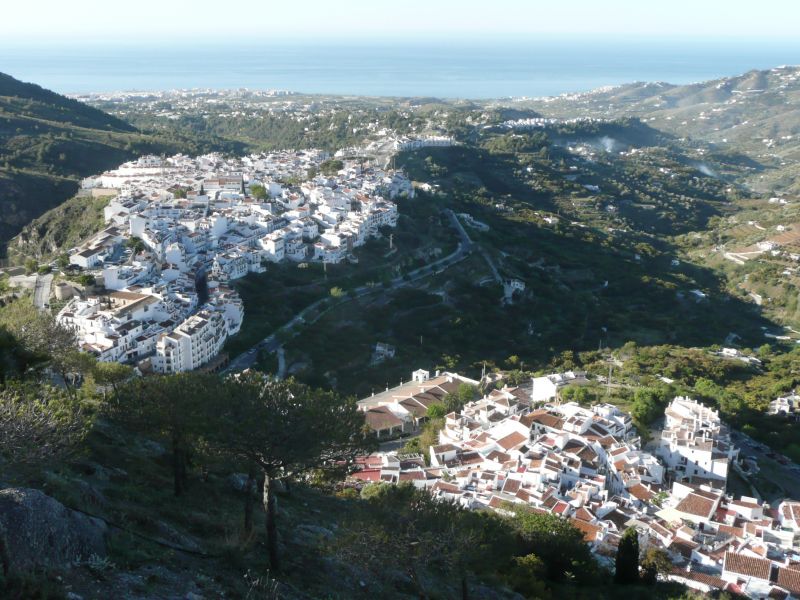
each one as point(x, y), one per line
point(180, 229)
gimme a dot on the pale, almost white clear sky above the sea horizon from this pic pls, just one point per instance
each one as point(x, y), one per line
point(36, 22)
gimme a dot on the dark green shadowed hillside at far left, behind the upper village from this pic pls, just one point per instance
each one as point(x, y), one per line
point(49, 142)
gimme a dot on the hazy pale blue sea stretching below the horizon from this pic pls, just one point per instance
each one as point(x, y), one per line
point(451, 69)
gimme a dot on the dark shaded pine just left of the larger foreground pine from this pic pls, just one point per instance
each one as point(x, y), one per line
point(178, 407)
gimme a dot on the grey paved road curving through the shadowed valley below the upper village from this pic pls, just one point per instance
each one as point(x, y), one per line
point(272, 342)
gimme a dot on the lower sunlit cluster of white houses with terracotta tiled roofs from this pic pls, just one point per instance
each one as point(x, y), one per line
point(519, 445)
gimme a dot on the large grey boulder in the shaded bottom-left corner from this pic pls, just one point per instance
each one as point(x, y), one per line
point(37, 531)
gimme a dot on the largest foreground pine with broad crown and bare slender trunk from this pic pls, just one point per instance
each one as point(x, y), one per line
point(286, 429)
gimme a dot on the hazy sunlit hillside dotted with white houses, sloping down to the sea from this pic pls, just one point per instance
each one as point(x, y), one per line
point(756, 114)
